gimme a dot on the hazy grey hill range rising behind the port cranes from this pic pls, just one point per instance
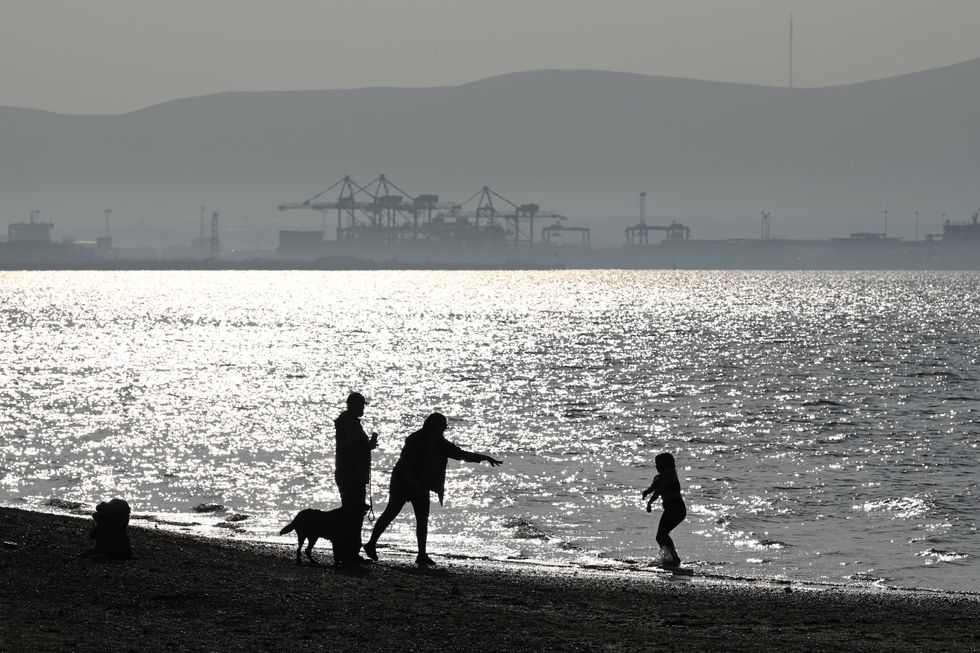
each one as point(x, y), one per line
point(824, 162)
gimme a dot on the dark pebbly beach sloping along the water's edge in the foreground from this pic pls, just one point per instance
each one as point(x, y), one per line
point(183, 593)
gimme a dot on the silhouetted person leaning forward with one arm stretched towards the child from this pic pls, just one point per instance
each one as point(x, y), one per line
point(421, 469)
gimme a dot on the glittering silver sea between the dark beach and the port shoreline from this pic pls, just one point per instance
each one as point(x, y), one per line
point(826, 425)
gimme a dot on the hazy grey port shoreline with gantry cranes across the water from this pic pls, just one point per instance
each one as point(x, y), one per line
point(379, 225)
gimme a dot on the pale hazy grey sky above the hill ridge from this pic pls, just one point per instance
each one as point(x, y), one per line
point(111, 56)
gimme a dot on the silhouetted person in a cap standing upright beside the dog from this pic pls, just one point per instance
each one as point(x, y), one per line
point(353, 470)
